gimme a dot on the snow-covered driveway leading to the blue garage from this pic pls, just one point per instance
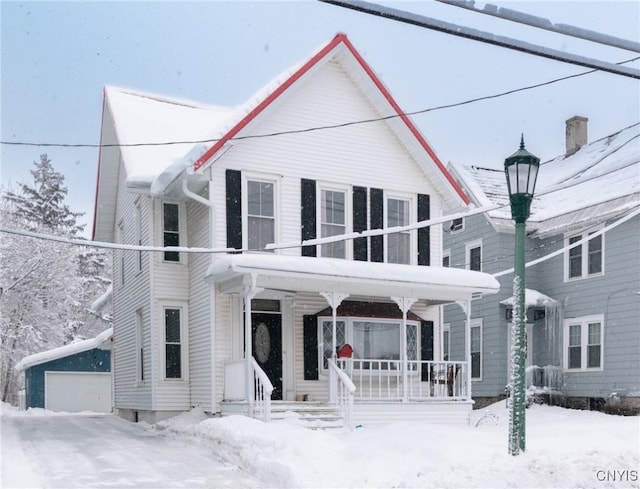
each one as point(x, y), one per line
point(69, 451)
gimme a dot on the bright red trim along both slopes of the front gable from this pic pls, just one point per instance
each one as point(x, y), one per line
point(339, 38)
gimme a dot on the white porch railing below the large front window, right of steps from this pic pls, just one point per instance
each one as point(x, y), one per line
point(386, 379)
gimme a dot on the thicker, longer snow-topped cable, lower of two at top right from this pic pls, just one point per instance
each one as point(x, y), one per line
point(486, 37)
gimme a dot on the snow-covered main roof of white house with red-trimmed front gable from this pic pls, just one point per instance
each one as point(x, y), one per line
point(138, 123)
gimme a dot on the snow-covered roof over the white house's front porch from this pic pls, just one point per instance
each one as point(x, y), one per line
point(438, 285)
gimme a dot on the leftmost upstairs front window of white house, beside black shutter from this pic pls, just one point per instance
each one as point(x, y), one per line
point(260, 214)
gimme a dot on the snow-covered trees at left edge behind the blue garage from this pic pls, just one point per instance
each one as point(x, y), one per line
point(47, 286)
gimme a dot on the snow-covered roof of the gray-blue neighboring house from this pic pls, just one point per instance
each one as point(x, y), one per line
point(600, 180)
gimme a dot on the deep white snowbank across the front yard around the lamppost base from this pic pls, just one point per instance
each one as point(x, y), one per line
point(565, 448)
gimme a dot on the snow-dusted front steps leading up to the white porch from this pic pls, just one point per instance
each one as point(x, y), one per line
point(310, 414)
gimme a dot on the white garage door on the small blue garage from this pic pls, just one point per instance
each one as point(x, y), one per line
point(78, 391)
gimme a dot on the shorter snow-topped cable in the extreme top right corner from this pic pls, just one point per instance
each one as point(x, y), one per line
point(542, 23)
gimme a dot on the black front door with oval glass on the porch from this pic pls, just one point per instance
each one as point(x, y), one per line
point(266, 331)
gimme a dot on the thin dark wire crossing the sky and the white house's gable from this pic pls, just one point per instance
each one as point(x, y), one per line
point(317, 128)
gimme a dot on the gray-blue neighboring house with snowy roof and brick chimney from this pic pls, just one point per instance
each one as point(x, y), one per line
point(583, 304)
